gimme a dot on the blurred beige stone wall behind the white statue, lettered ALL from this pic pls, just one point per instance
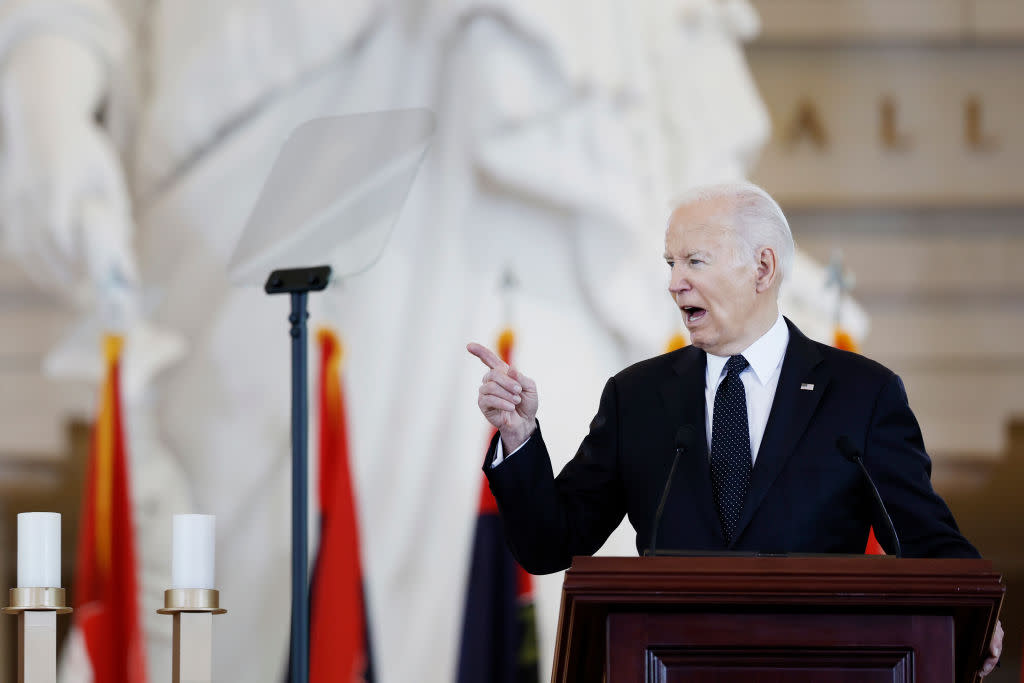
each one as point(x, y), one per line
point(897, 142)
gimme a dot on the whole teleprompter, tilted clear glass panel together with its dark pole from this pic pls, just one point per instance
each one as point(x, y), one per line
point(332, 196)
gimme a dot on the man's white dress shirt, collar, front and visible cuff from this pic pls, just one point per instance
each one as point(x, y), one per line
point(760, 380)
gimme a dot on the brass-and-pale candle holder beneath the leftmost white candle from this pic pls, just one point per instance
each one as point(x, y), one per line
point(37, 611)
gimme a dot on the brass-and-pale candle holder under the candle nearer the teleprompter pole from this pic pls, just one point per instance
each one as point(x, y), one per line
point(193, 610)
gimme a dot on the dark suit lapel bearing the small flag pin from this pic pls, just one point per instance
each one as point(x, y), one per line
point(791, 413)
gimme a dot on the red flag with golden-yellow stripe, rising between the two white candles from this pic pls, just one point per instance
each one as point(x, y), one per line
point(106, 585)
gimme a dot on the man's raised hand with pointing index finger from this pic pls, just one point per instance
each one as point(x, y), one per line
point(507, 399)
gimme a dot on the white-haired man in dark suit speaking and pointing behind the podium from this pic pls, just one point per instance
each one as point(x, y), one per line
point(765, 407)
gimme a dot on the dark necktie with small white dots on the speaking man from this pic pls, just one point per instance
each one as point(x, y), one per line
point(731, 448)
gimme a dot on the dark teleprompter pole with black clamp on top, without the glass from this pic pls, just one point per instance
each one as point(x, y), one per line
point(300, 283)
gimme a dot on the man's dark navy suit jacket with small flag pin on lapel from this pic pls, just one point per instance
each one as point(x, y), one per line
point(804, 498)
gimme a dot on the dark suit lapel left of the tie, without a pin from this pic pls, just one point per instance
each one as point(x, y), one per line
point(684, 395)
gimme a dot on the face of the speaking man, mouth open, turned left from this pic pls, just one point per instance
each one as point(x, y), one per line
point(714, 279)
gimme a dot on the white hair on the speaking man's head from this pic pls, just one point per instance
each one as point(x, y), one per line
point(760, 222)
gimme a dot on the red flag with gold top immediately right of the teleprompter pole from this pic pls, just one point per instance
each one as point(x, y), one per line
point(339, 637)
